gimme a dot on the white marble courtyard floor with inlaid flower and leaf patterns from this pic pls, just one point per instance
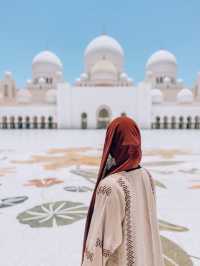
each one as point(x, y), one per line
point(46, 179)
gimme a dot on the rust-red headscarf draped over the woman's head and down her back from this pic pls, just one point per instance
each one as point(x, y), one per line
point(121, 152)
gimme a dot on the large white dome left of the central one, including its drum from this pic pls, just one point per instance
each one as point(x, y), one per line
point(46, 65)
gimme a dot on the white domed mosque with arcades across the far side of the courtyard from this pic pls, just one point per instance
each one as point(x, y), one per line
point(102, 92)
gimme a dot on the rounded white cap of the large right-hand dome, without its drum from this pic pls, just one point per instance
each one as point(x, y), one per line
point(161, 56)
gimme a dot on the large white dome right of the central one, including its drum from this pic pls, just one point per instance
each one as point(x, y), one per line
point(162, 64)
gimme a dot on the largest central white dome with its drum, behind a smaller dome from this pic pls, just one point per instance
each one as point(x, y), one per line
point(104, 47)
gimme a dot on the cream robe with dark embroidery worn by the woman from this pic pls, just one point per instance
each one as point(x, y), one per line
point(124, 228)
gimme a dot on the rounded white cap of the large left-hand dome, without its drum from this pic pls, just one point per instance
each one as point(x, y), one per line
point(47, 57)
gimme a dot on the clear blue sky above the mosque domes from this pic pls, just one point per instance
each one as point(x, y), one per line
point(66, 27)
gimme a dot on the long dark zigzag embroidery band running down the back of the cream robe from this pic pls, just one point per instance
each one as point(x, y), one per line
point(131, 232)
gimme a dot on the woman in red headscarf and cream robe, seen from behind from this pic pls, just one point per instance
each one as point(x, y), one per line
point(121, 227)
